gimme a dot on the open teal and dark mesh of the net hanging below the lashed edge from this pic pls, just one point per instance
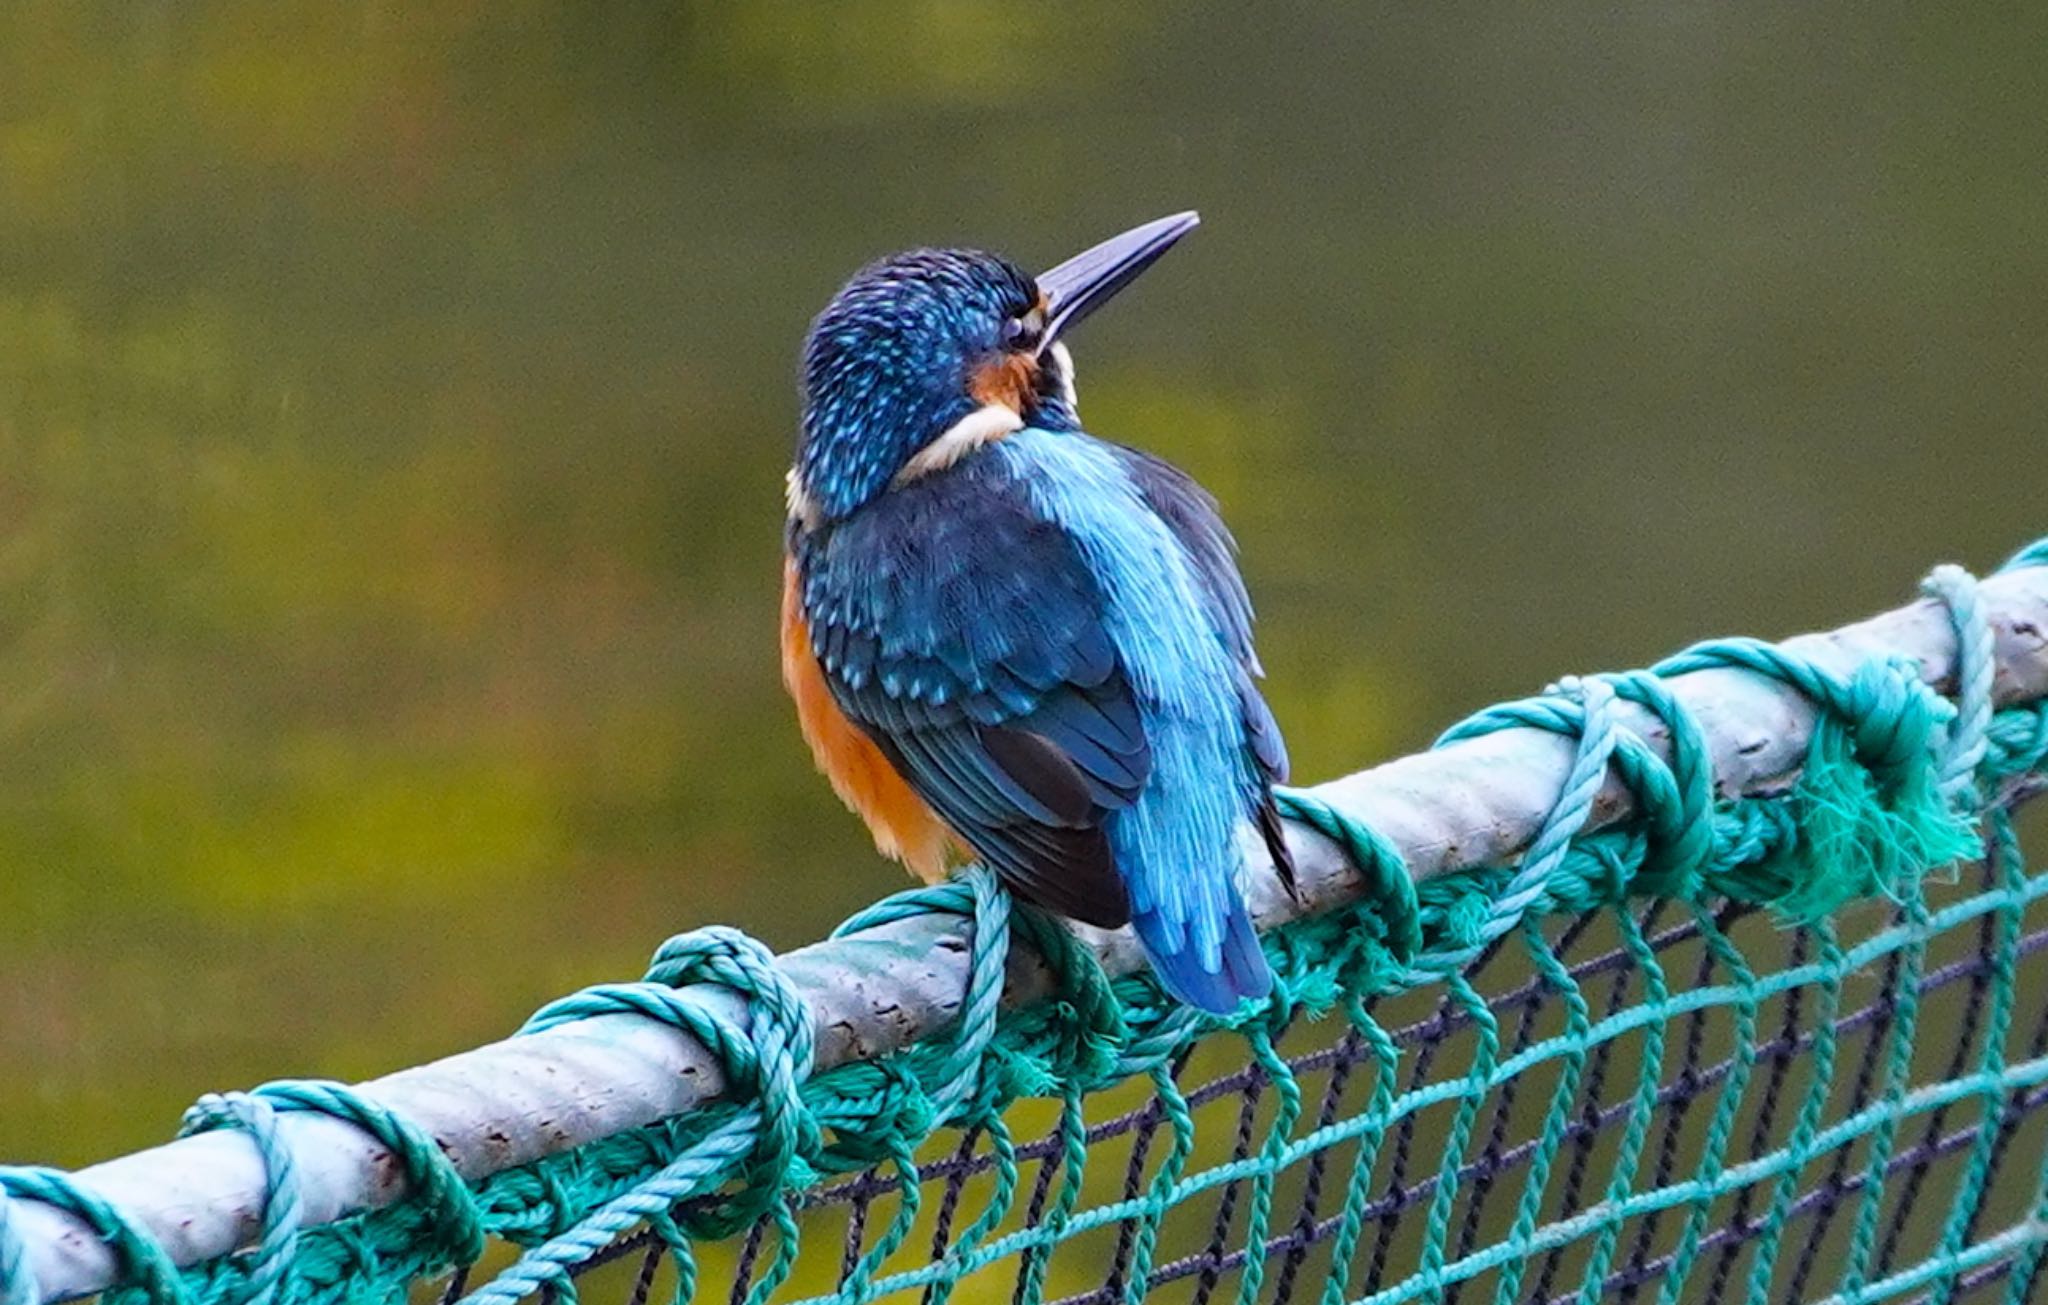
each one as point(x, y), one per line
point(1646, 1103)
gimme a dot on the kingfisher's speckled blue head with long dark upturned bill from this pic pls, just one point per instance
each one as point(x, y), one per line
point(929, 355)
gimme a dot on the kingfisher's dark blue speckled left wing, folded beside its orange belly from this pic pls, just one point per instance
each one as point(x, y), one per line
point(964, 634)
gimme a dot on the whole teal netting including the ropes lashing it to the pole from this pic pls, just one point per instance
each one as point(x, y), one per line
point(1779, 1048)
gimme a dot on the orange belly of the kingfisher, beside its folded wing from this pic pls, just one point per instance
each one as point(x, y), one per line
point(904, 827)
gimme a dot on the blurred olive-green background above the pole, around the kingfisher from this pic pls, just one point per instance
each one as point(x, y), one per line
point(394, 405)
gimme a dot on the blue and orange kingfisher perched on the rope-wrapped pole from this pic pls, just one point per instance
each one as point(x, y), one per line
point(1011, 640)
